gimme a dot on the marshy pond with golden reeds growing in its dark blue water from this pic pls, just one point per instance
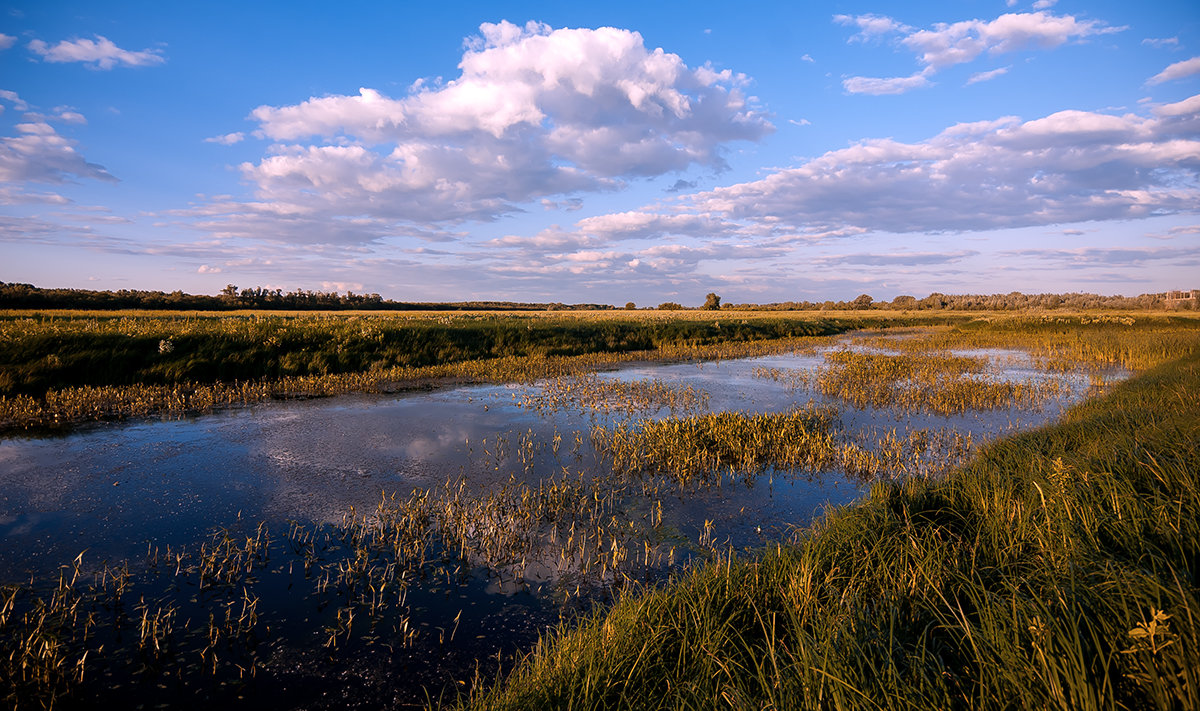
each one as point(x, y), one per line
point(287, 497)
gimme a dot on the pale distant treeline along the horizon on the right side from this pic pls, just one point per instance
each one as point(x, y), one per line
point(1011, 302)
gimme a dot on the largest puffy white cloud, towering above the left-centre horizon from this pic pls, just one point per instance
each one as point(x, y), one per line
point(536, 115)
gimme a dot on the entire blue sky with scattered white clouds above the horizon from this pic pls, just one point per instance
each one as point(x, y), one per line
point(603, 153)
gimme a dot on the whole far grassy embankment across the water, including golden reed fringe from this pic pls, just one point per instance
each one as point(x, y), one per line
point(62, 368)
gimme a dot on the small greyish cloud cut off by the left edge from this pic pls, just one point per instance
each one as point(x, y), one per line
point(40, 154)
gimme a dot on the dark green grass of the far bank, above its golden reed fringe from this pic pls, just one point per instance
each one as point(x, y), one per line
point(43, 352)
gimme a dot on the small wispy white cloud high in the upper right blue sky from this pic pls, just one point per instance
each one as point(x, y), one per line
point(952, 44)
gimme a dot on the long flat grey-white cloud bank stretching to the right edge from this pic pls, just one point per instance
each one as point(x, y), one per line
point(1067, 168)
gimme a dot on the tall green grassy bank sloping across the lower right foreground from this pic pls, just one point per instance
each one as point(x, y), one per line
point(1057, 571)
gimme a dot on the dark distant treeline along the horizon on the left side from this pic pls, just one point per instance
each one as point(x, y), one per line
point(25, 296)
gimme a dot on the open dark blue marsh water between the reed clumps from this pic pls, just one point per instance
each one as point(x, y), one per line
point(117, 491)
